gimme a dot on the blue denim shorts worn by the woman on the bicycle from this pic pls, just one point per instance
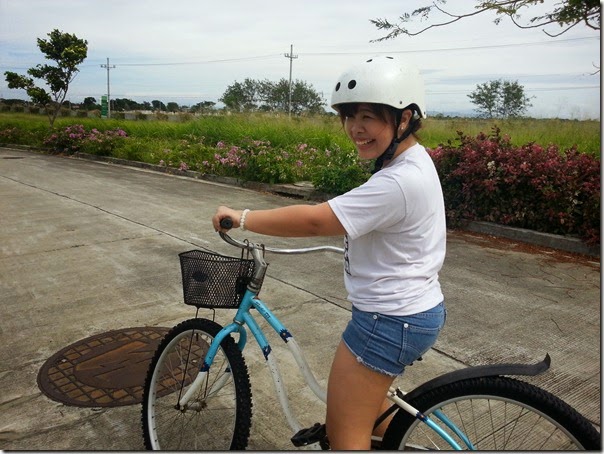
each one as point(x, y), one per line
point(386, 343)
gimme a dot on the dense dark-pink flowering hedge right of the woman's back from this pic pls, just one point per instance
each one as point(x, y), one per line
point(544, 189)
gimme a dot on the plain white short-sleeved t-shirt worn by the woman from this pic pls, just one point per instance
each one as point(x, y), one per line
point(396, 237)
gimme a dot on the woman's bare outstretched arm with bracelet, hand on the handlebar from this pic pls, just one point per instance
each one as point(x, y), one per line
point(290, 221)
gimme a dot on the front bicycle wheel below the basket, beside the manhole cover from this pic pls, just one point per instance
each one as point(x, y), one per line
point(219, 416)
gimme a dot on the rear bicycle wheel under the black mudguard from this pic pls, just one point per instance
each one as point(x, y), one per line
point(493, 413)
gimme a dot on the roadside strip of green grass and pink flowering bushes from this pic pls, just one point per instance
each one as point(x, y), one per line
point(542, 175)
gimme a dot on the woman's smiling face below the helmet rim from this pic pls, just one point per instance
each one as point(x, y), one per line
point(370, 126)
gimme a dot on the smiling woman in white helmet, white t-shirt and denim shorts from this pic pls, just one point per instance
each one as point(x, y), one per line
point(394, 228)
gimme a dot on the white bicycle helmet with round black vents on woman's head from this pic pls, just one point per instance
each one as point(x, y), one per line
point(381, 80)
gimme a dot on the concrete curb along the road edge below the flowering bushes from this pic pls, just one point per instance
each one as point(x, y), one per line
point(305, 191)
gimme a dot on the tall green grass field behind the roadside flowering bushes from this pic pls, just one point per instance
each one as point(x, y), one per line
point(321, 132)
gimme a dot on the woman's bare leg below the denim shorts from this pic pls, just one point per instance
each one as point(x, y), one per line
point(355, 395)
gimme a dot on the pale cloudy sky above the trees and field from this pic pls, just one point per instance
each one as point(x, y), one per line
point(188, 51)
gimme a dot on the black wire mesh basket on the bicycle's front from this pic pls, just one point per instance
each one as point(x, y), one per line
point(214, 281)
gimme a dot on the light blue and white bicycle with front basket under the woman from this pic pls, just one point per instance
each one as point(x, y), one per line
point(197, 393)
